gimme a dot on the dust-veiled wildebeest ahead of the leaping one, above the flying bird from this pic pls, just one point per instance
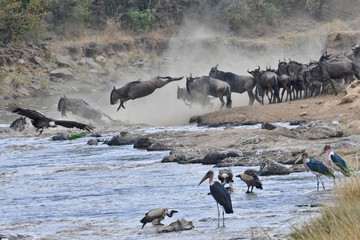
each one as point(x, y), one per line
point(80, 108)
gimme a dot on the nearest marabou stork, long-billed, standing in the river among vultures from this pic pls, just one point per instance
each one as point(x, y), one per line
point(220, 194)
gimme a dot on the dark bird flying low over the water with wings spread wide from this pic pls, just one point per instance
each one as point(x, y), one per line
point(39, 121)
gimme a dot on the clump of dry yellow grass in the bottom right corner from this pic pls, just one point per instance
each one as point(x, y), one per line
point(339, 220)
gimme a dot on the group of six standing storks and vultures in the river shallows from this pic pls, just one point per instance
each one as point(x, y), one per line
point(221, 194)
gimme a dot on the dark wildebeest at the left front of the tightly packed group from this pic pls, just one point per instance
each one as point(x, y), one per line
point(266, 82)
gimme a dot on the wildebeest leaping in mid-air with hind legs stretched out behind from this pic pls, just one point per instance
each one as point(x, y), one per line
point(138, 89)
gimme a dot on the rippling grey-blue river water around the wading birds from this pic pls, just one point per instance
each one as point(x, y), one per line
point(69, 190)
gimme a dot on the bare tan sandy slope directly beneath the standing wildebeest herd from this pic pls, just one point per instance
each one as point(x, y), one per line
point(344, 108)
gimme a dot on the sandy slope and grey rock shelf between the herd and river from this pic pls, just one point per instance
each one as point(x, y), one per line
point(320, 121)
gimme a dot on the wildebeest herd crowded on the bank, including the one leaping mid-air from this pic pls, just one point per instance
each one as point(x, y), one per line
point(296, 79)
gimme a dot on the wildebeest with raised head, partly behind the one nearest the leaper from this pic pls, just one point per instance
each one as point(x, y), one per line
point(238, 83)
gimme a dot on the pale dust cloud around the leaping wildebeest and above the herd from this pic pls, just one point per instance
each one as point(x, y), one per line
point(194, 50)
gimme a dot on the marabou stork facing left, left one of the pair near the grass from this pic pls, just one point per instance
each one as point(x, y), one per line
point(316, 167)
